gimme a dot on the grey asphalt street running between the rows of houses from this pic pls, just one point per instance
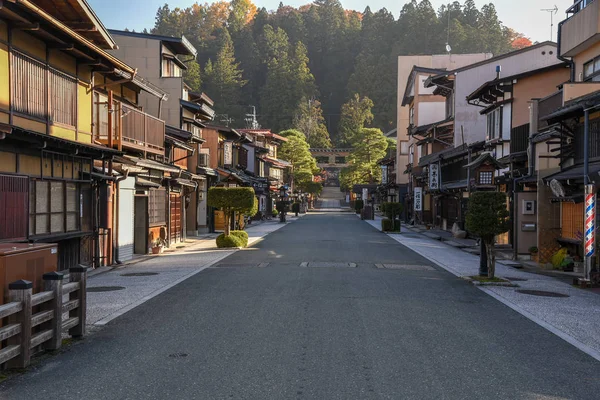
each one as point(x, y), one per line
point(307, 314)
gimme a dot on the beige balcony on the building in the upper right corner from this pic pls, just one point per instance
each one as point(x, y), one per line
point(581, 30)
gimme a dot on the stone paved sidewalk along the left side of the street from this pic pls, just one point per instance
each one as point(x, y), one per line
point(153, 275)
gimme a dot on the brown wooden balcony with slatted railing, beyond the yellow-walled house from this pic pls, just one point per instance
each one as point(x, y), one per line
point(135, 131)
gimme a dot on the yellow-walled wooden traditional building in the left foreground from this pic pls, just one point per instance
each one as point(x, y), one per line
point(60, 96)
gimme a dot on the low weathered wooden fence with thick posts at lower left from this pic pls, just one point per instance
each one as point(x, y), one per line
point(35, 321)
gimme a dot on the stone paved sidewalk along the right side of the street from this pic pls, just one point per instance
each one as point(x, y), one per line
point(575, 318)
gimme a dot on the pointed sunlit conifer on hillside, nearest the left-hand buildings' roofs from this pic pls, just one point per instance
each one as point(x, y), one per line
point(223, 78)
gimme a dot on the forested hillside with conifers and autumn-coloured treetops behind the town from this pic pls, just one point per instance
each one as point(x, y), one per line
point(302, 64)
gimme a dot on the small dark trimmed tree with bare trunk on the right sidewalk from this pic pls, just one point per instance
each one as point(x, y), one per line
point(487, 217)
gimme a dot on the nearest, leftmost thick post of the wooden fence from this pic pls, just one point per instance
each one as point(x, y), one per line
point(20, 292)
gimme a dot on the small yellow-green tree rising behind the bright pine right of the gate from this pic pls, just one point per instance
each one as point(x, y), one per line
point(356, 113)
